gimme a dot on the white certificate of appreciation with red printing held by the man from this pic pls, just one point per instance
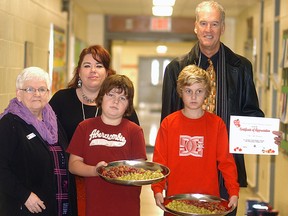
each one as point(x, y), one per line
point(253, 135)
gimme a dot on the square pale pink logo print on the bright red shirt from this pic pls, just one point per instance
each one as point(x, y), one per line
point(191, 146)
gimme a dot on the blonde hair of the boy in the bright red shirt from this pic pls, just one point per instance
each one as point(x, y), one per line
point(193, 74)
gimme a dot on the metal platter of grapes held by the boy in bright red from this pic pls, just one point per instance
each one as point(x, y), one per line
point(196, 205)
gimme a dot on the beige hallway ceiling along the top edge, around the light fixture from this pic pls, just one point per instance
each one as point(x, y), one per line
point(182, 8)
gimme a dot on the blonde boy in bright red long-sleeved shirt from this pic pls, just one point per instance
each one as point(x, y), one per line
point(193, 143)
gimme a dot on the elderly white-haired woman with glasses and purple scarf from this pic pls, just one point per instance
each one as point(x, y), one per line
point(33, 162)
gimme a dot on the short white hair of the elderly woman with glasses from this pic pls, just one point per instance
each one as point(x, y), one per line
point(32, 73)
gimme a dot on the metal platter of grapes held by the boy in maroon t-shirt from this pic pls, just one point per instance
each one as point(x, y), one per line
point(133, 172)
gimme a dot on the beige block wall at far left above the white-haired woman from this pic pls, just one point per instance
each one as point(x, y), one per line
point(20, 21)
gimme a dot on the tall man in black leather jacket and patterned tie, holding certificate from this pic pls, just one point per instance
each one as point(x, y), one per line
point(235, 95)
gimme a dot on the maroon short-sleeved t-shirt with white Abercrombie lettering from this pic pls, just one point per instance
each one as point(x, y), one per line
point(95, 141)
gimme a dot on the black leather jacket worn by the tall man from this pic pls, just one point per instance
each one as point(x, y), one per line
point(242, 97)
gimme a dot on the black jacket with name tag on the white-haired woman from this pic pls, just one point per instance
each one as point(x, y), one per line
point(26, 165)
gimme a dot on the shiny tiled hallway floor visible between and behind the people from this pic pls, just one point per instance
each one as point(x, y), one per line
point(150, 123)
